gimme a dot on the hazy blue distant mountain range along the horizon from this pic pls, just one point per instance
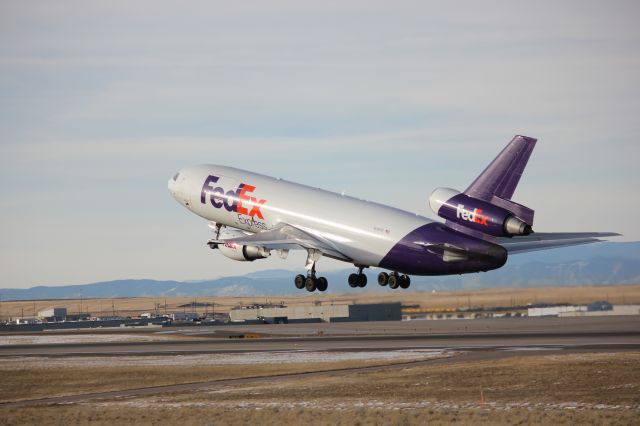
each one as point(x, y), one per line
point(596, 264)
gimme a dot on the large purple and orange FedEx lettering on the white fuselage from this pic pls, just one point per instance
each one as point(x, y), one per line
point(231, 200)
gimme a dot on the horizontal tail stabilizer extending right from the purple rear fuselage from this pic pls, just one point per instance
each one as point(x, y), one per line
point(544, 241)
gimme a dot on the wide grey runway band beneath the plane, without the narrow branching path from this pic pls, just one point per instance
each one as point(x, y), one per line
point(597, 333)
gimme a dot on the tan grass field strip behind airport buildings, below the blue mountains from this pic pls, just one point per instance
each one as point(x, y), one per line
point(621, 294)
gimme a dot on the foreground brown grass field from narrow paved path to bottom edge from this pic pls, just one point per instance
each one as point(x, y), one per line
point(547, 389)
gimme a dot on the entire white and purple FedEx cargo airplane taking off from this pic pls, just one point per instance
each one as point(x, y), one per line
point(253, 215)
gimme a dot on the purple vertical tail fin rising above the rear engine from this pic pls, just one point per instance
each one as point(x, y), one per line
point(497, 183)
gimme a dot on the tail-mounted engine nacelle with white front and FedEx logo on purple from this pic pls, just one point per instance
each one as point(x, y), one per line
point(476, 214)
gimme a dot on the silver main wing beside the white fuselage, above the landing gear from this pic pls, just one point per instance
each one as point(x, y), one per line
point(289, 237)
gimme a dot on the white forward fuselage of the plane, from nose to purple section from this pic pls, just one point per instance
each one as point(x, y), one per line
point(362, 230)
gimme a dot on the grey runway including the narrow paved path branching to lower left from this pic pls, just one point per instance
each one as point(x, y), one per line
point(458, 342)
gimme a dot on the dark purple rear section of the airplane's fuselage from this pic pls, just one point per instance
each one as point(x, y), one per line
point(408, 257)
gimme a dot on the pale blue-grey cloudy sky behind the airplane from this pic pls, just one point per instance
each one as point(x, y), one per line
point(102, 102)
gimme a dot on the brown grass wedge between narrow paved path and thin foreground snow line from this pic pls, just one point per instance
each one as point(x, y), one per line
point(608, 378)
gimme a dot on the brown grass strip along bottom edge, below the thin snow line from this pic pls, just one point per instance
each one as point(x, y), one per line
point(88, 414)
